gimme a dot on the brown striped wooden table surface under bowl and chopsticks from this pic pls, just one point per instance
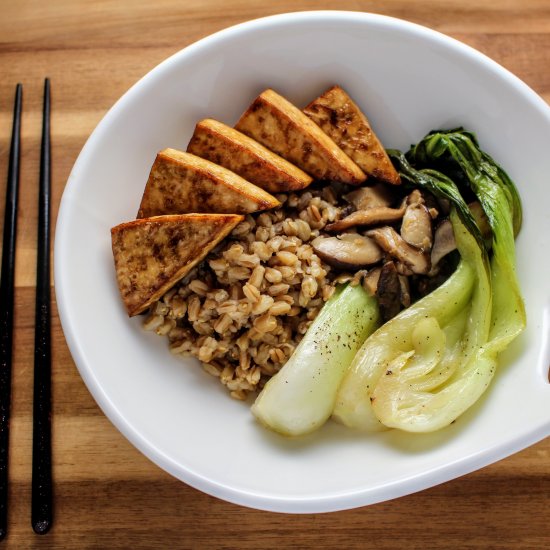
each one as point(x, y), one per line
point(107, 495)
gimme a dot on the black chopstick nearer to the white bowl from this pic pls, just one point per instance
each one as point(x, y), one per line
point(41, 505)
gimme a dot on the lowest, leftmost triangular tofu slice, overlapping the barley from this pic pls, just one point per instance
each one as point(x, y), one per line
point(152, 254)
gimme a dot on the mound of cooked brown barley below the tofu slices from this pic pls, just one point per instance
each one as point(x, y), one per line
point(243, 310)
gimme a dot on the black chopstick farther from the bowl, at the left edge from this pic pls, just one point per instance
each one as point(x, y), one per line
point(6, 305)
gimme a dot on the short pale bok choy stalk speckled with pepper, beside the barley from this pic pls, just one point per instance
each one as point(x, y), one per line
point(300, 397)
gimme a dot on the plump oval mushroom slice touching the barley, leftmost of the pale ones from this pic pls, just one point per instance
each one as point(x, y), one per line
point(348, 251)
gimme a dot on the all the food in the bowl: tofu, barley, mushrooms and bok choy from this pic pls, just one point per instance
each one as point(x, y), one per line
point(291, 243)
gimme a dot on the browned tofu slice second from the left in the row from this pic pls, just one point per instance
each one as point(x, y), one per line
point(181, 183)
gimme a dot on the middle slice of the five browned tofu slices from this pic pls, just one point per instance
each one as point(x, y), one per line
point(223, 145)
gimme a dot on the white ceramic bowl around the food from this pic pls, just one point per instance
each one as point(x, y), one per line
point(409, 80)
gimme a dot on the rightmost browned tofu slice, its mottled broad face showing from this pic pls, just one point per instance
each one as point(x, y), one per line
point(338, 115)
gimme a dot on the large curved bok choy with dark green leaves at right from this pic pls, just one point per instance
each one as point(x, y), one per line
point(425, 367)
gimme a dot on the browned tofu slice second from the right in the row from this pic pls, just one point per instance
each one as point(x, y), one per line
point(282, 127)
